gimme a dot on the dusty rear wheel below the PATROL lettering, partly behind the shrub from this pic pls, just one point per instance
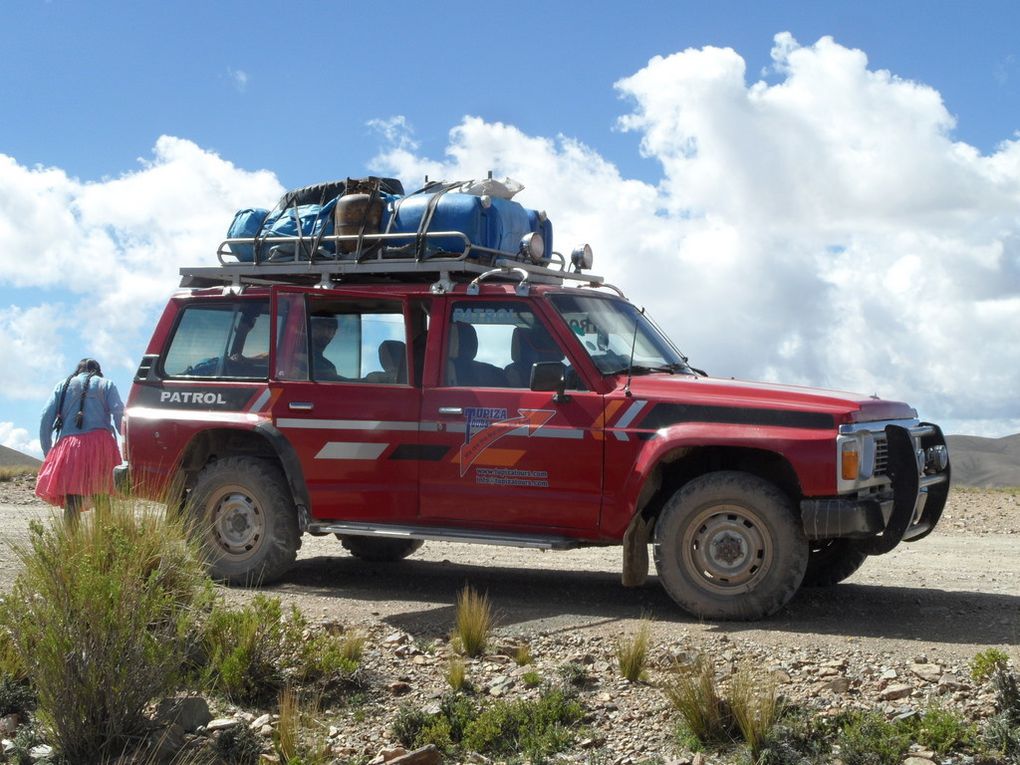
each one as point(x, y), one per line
point(246, 521)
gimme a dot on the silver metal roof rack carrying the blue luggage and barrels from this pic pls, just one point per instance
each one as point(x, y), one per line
point(322, 262)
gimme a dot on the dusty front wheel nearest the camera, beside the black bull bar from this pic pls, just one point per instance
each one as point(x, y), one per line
point(729, 546)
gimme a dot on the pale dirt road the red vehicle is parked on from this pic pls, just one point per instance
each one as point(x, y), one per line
point(945, 597)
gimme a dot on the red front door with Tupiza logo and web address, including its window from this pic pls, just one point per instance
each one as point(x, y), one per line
point(507, 457)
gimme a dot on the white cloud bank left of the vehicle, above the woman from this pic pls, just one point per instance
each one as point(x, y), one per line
point(100, 259)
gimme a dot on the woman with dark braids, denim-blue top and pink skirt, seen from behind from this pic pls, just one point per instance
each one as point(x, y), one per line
point(82, 418)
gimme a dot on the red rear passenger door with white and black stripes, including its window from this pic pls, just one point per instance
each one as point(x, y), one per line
point(347, 396)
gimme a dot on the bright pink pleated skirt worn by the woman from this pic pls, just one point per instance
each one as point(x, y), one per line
point(81, 465)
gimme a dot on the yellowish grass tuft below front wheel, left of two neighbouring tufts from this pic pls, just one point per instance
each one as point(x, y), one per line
point(692, 691)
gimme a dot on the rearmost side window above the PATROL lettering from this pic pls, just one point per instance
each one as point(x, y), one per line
point(221, 341)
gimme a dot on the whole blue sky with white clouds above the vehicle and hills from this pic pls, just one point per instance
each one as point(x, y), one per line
point(848, 217)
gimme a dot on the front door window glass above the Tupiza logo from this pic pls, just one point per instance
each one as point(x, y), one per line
point(494, 344)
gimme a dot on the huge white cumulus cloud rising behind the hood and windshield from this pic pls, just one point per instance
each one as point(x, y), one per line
point(825, 230)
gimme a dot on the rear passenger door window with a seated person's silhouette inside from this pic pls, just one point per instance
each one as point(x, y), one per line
point(358, 341)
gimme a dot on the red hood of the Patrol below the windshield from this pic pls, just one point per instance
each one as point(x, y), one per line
point(845, 407)
